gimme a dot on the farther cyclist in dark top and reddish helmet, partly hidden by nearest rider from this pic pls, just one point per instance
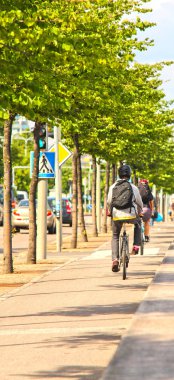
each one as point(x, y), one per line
point(148, 206)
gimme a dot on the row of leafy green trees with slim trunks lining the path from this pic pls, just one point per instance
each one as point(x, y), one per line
point(73, 64)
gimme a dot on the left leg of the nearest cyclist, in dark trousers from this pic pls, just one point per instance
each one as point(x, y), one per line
point(116, 228)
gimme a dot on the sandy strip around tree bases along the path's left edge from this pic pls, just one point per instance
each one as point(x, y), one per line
point(24, 273)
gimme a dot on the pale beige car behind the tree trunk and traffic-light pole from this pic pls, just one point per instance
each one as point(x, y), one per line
point(20, 217)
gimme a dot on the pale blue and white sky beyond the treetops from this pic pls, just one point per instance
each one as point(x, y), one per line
point(163, 36)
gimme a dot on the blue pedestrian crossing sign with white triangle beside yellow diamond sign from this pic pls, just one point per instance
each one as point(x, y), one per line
point(46, 164)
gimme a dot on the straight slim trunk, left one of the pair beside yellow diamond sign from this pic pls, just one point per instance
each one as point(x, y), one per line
point(74, 200)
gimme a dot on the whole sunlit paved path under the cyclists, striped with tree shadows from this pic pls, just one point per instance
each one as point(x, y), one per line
point(69, 322)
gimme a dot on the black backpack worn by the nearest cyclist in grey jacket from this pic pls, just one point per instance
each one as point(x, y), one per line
point(122, 194)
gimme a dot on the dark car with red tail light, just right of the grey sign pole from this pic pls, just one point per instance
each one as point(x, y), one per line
point(66, 209)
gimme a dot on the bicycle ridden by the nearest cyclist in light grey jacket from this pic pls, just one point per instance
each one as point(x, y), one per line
point(124, 250)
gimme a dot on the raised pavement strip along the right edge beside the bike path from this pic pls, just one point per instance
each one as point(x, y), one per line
point(147, 349)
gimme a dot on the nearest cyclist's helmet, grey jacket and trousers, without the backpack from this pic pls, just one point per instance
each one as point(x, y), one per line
point(128, 215)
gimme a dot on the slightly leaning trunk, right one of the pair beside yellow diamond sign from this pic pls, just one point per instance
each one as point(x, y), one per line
point(81, 221)
